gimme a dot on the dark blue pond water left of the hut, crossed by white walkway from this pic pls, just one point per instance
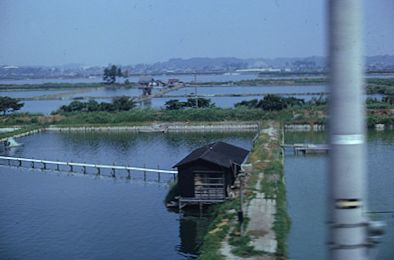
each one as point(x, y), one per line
point(47, 215)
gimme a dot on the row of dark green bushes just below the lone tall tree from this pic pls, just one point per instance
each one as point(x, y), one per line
point(123, 103)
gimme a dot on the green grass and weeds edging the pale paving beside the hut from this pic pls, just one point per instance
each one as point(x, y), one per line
point(266, 156)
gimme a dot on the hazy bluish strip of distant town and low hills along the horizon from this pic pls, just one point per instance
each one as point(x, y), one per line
point(314, 64)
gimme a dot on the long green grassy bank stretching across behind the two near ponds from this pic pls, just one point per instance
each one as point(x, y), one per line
point(305, 115)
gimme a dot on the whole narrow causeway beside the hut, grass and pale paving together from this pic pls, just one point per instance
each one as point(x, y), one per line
point(263, 234)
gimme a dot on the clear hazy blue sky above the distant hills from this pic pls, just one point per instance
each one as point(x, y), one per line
point(101, 32)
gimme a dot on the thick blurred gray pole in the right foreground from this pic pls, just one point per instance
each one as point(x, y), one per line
point(347, 175)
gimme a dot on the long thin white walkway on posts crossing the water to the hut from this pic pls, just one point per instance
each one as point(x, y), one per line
point(77, 167)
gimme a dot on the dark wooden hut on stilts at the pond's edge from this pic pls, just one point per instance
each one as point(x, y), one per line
point(206, 174)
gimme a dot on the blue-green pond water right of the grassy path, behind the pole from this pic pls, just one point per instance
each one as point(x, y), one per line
point(306, 193)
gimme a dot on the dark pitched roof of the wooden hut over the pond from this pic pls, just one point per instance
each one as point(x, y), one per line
point(218, 153)
